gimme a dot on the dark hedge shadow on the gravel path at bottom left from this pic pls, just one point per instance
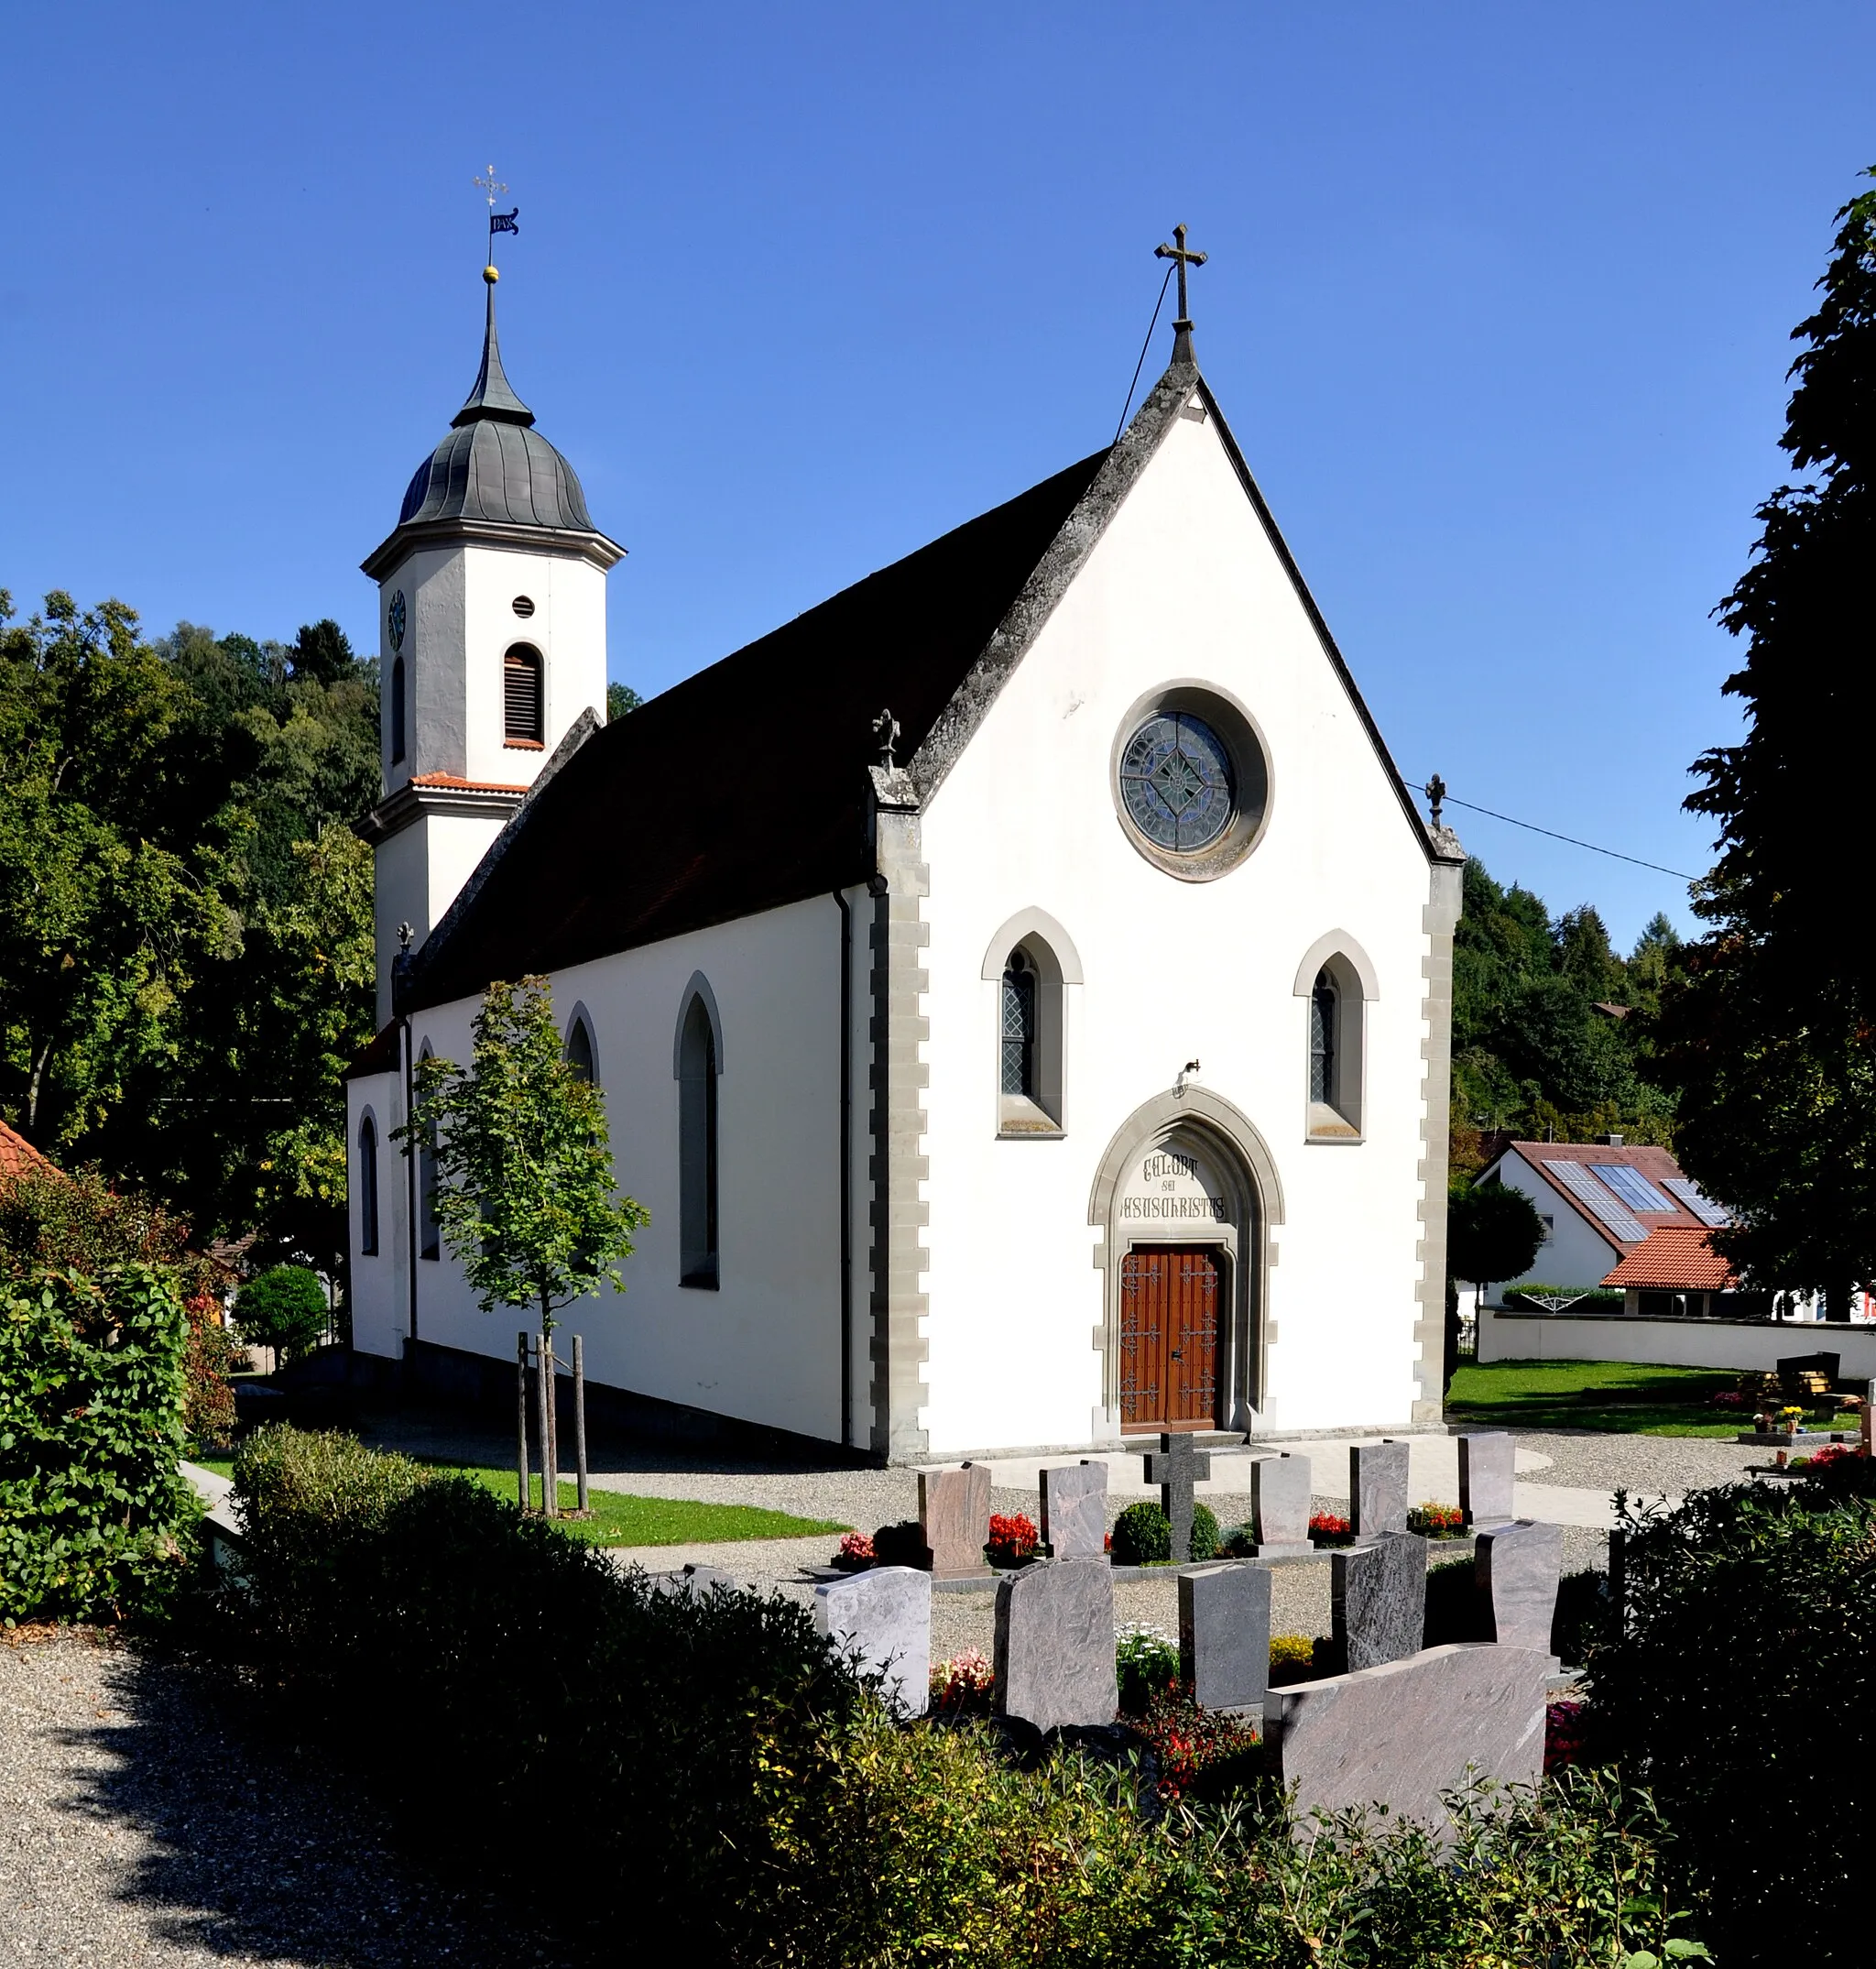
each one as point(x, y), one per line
point(253, 1850)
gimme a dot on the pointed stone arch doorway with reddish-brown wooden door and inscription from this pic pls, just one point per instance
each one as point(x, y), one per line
point(1186, 1198)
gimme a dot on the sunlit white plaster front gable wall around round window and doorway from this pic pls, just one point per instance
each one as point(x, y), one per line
point(1184, 586)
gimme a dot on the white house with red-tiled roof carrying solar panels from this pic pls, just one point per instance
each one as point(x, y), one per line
point(1601, 1202)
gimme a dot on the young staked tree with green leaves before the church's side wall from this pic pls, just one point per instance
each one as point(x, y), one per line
point(525, 1192)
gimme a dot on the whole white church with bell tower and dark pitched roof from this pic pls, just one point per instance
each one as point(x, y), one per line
point(1019, 985)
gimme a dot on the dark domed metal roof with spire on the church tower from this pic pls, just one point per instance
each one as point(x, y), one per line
point(493, 466)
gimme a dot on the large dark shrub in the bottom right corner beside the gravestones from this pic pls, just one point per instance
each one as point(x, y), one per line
point(1745, 1669)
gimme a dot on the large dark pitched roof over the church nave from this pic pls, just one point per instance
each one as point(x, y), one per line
point(745, 787)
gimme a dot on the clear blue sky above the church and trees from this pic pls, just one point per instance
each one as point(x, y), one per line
point(1499, 308)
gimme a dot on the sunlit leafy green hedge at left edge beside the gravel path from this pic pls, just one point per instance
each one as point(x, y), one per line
point(92, 1423)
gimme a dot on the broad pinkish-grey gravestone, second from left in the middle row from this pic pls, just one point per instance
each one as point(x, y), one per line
point(1056, 1645)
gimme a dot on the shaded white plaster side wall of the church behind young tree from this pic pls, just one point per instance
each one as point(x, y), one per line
point(767, 1346)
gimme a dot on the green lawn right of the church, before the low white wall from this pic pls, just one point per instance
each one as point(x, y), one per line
point(1603, 1395)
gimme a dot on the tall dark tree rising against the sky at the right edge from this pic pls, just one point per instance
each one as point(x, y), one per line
point(1771, 1031)
